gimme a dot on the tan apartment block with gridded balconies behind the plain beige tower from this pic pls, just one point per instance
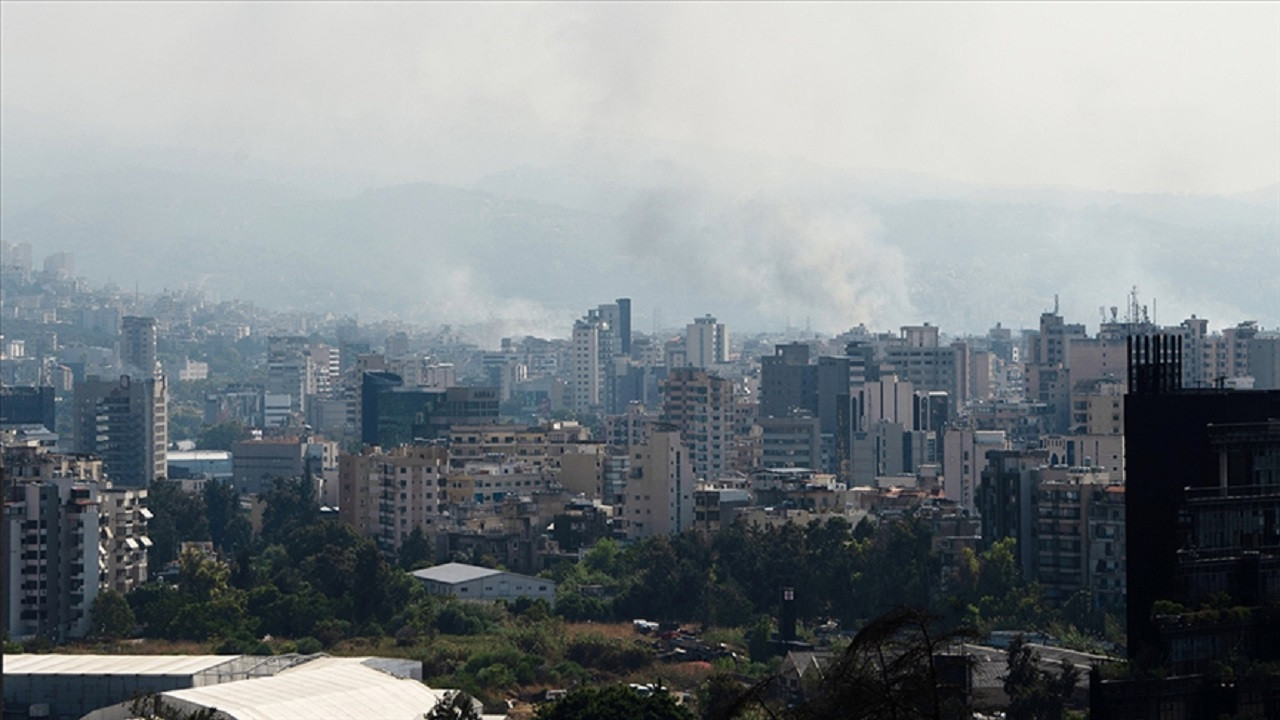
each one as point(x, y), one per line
point(702, 405)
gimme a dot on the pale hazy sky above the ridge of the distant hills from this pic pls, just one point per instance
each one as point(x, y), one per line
point(1139, 97)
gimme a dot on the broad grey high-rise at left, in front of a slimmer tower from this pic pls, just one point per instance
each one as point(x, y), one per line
point(126, 423)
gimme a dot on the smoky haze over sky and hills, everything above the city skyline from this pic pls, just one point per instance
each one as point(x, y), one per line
point(502, 166)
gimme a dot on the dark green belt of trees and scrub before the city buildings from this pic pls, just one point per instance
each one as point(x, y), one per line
point(304, 584)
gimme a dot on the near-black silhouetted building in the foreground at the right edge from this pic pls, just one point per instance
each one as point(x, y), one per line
point(1203, 473)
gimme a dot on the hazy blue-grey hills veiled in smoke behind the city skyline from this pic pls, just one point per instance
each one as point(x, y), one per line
point(529, 250)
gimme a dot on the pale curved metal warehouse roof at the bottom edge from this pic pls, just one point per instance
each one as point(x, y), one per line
point(330, 687)
